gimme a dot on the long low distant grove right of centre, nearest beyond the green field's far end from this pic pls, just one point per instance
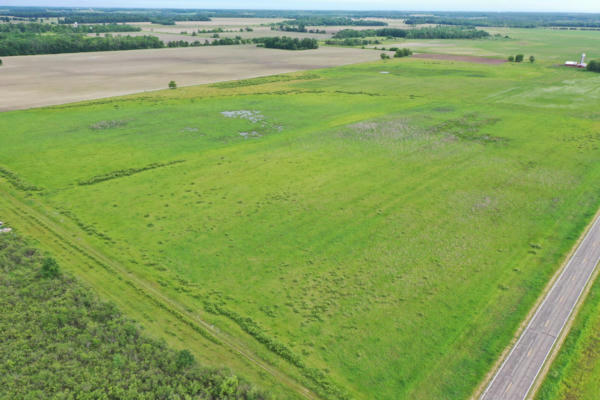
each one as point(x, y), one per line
point(438, 32)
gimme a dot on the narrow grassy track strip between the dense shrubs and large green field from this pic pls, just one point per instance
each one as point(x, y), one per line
point(139, 284)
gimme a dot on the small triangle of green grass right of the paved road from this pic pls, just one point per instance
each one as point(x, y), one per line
point(575, 374)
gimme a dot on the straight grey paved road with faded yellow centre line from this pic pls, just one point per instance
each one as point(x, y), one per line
point(517, 374)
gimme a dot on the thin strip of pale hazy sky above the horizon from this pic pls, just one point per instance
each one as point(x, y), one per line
point(462, 5)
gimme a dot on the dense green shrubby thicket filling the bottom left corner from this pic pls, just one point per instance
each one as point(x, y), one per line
point(59, 341)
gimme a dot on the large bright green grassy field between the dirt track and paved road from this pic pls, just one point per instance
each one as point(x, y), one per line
point(388, 230)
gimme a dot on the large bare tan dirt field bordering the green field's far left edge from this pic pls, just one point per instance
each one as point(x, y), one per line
point(35, 81)
